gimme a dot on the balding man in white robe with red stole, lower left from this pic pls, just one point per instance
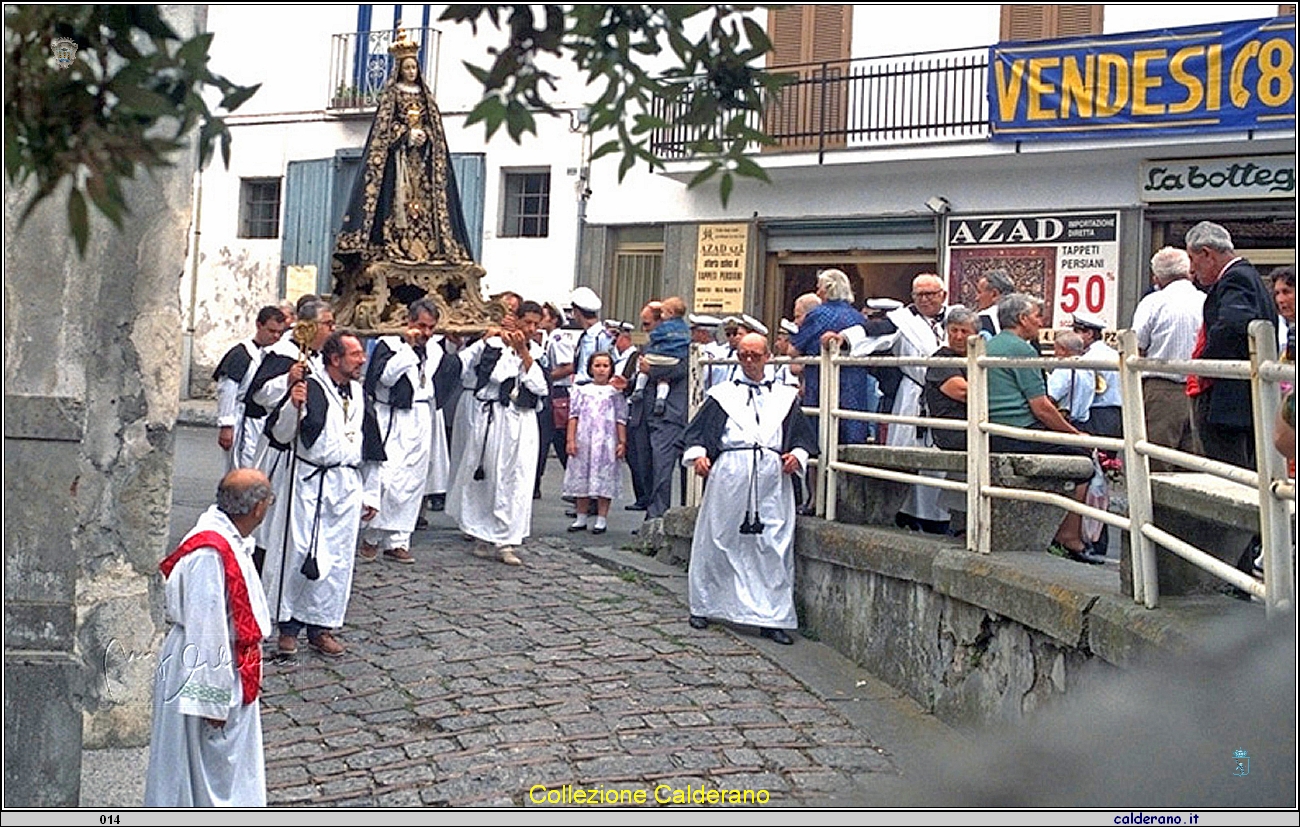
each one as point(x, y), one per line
point(206, 746)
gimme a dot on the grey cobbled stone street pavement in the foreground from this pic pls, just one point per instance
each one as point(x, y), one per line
point(469, 683)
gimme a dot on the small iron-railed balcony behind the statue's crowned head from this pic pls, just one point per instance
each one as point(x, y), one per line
point(359, 67)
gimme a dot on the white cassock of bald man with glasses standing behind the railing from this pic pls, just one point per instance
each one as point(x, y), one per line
point(917, 337)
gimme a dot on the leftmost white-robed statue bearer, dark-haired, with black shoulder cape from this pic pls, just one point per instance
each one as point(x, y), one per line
point(237, 431)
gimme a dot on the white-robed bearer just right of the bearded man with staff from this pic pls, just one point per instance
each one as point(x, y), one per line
point(401, 382)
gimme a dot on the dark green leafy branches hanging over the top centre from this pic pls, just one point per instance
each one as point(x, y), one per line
point(712, 85)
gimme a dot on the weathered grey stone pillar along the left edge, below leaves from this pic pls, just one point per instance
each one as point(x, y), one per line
point(92, 352)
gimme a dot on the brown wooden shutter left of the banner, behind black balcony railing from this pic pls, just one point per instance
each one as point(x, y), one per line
point(814, 41)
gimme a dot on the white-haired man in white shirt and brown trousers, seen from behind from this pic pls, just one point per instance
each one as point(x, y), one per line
point(1167, 324)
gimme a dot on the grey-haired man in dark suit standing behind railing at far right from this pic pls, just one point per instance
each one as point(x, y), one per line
point(1236, 296)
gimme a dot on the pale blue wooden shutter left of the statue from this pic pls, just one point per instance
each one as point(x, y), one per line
point(307, 220)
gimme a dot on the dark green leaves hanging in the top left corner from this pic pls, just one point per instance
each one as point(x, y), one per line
point(128, 102)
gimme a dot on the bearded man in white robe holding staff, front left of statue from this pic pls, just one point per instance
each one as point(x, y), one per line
point(309, 578)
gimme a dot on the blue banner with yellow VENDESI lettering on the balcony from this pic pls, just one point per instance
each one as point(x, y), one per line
point(1229, 77)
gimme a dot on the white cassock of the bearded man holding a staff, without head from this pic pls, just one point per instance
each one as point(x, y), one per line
point(327, 495)
